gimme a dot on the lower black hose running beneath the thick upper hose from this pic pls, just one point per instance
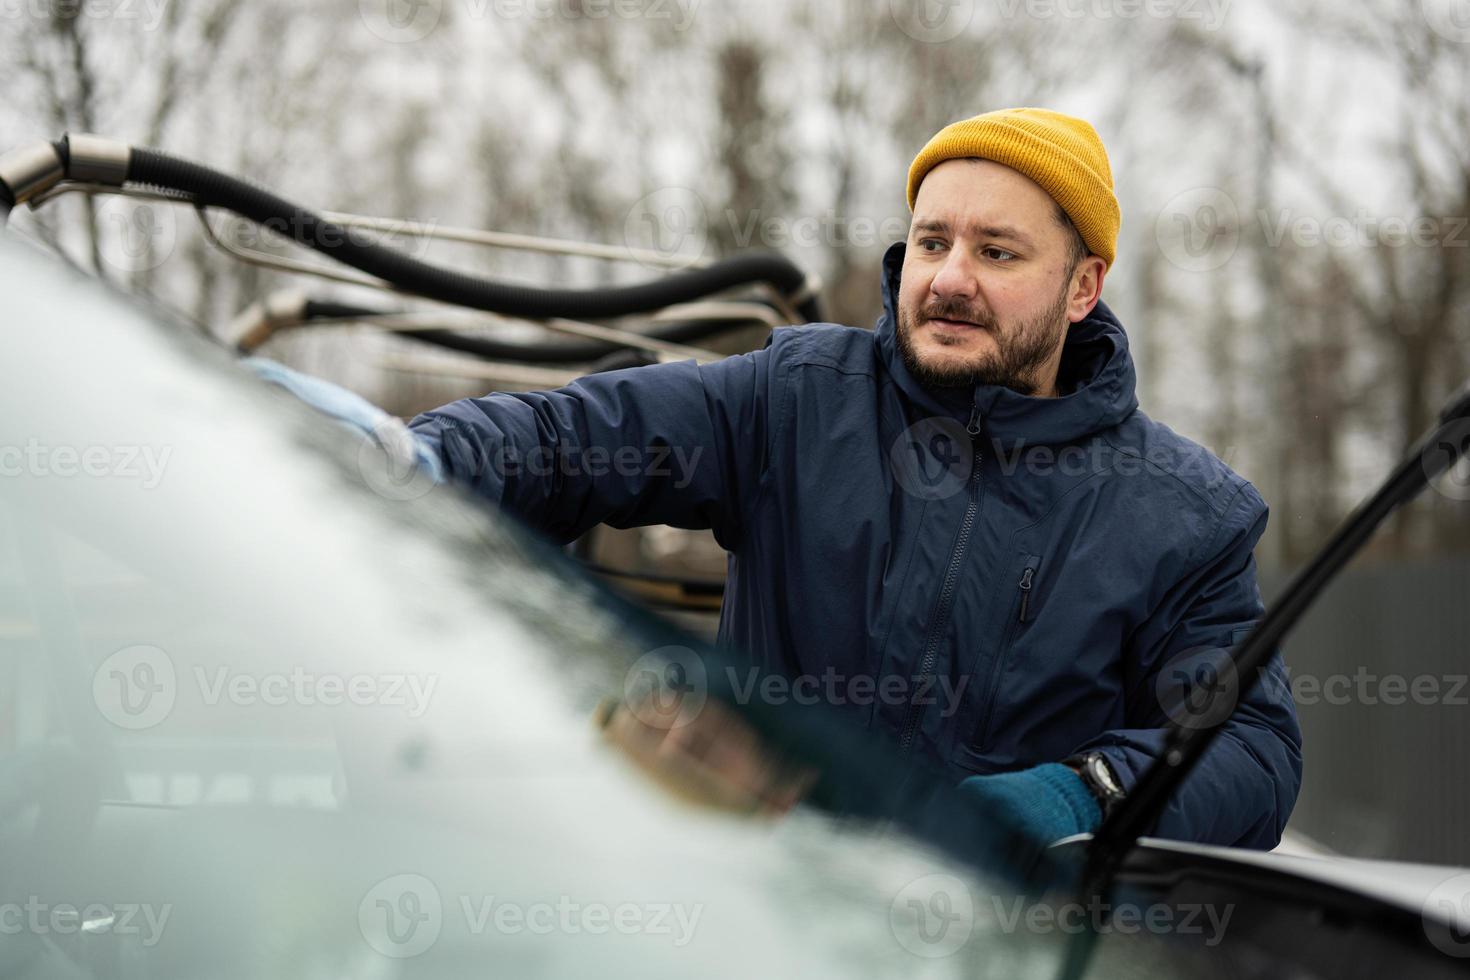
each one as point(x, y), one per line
point(556, 352)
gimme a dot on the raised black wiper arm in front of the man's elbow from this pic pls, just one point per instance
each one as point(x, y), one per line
point(1184, 744)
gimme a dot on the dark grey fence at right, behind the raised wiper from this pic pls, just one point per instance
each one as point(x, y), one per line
point(1381, 672)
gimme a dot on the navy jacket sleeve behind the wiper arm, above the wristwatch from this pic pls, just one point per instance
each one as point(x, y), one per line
point(1246, 785)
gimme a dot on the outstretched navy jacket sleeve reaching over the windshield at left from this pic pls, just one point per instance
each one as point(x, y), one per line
point(670, 444)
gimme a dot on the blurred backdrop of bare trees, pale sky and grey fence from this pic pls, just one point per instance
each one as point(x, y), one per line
point(1294, 264)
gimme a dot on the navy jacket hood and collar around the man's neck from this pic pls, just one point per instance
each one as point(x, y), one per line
point(1097, 371)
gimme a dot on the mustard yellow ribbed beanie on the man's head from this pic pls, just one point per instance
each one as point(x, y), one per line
point(1061, 154)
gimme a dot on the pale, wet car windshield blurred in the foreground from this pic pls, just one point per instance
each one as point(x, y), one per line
point(342, 727)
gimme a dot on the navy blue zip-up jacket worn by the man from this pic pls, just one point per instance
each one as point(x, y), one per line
point(1028, 577)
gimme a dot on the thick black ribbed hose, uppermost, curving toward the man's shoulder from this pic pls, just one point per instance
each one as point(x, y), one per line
point(214, 189)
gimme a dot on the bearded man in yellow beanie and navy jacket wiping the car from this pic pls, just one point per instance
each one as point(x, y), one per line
point(965, 500)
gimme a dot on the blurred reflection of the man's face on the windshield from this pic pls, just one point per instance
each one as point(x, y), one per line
point(709, 757)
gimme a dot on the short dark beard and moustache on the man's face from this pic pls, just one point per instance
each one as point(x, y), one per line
point(1021, 353)
